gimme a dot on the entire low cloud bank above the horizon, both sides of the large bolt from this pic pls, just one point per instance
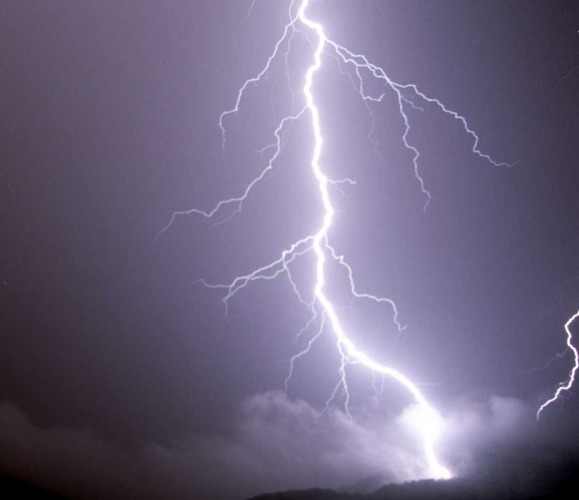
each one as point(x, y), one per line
point(278, 444)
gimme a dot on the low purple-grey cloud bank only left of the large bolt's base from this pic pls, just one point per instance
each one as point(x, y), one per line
point(277, 444)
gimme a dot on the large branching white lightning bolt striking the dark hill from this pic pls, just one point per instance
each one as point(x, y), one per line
point(323, 312)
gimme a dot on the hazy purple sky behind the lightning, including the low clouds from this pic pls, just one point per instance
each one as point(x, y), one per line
point(122, 373)
